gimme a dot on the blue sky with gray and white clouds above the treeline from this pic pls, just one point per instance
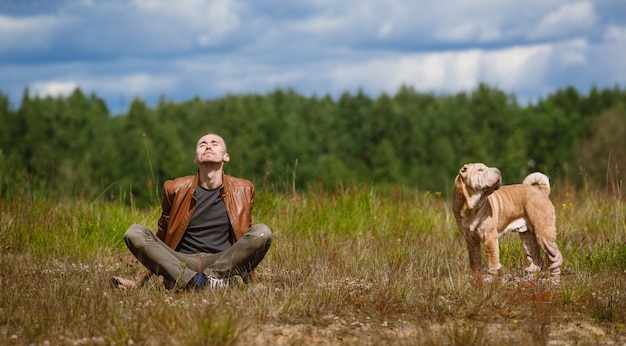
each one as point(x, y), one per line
point(122, 49)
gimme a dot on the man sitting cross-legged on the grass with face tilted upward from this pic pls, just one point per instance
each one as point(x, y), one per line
point(206, 237)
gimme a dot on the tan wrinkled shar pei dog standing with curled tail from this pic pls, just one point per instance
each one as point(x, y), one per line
point(484, 210)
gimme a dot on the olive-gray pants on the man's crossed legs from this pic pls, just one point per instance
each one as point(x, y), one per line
point(179, 268)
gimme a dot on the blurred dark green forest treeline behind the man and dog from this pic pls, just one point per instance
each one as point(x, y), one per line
point(73, 146)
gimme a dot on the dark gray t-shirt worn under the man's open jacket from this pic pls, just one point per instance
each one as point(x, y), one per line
point(209, 228)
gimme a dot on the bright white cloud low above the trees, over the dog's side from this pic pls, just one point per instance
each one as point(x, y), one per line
point(508, 68)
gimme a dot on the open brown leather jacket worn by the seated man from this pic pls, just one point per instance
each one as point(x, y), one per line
point(179, 203)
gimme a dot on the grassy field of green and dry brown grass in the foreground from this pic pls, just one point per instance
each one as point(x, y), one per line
point(353, 267)
